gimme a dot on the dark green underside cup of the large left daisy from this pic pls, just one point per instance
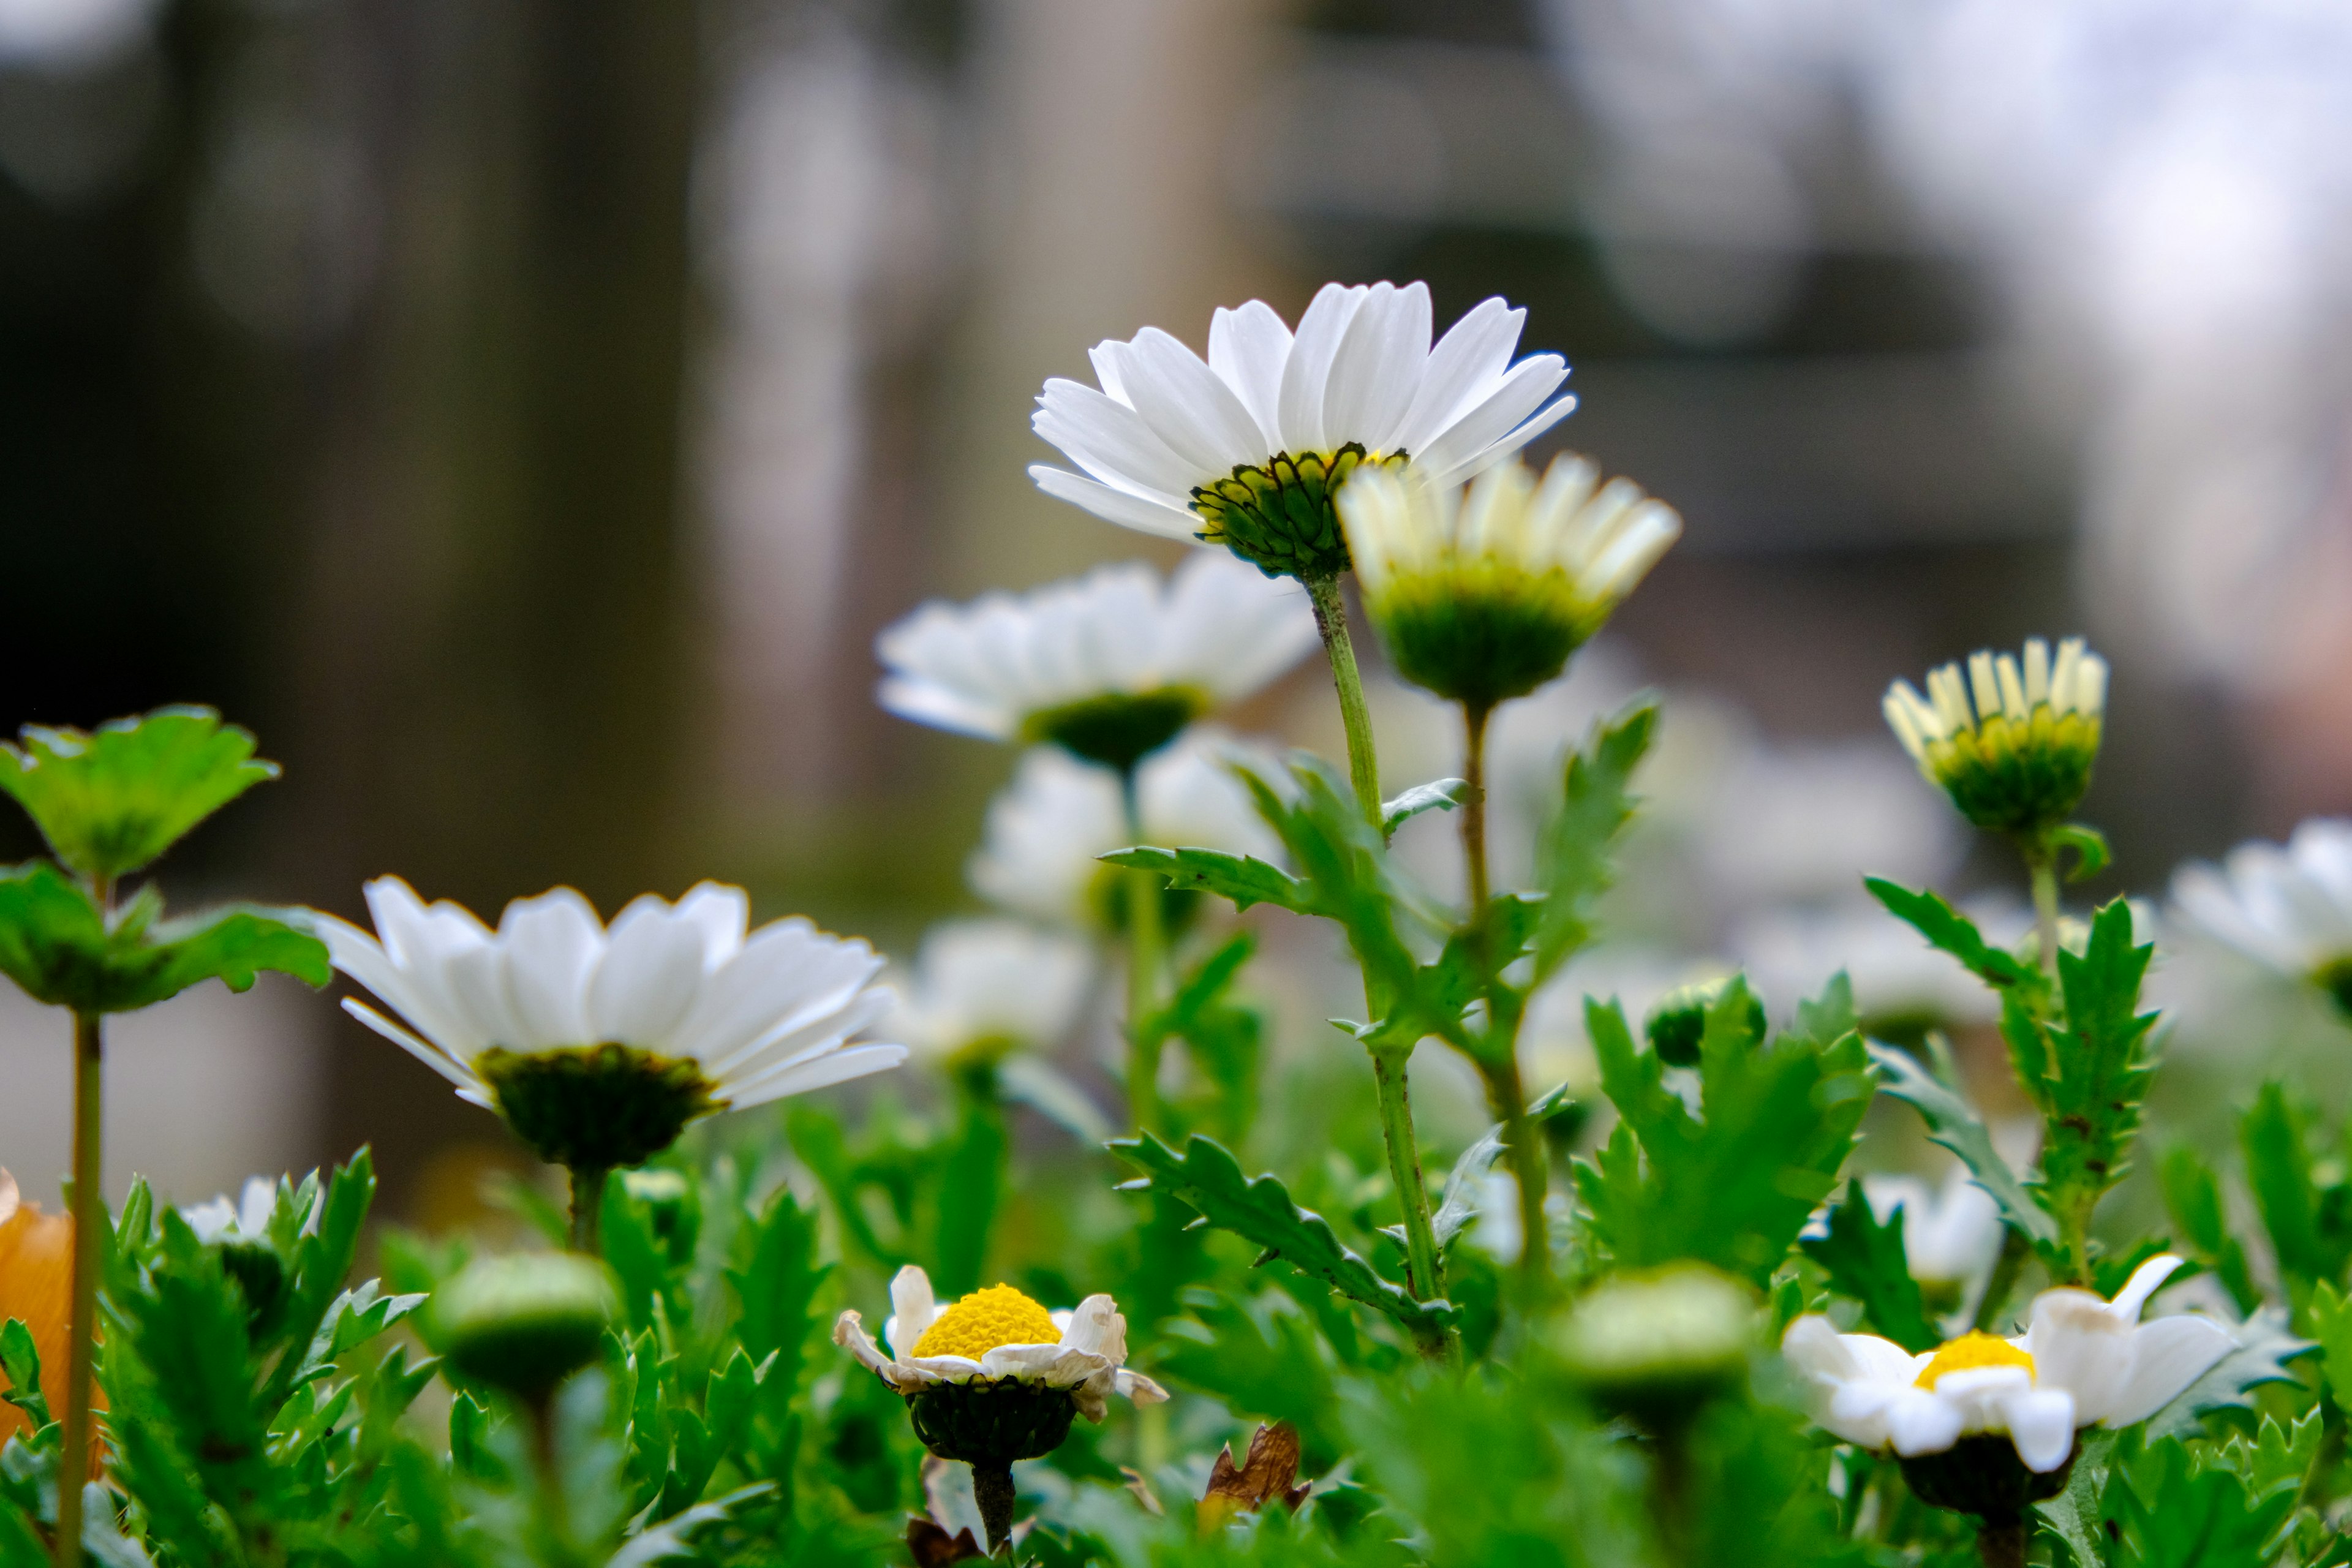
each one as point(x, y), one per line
point(596, 1108)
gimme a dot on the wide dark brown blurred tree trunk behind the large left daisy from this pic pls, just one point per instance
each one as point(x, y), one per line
point(497, 659)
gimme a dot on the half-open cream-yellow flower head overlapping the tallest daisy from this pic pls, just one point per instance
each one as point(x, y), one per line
point(1483, 596)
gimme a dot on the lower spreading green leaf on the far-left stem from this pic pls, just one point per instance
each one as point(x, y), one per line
point(60, 949)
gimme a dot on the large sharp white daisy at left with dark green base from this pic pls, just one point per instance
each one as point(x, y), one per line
point(676, 1010)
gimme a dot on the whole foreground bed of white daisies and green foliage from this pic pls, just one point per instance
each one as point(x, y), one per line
point(1659, 1313)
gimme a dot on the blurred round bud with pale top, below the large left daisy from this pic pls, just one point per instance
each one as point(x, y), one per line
point(526, 1322)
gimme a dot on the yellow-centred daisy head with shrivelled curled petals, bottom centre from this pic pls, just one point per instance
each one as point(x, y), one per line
point(998, 1334)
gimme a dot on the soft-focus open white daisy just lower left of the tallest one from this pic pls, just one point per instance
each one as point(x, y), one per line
point(1109, 666)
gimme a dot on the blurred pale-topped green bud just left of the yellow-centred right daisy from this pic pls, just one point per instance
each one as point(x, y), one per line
point(1659, 1343)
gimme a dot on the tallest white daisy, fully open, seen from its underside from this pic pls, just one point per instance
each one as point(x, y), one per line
point(1248, 448)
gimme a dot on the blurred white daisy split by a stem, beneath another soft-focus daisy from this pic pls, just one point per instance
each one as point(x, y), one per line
point(1057, 815)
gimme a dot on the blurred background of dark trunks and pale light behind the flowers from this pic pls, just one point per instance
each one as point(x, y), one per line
point(526, 413)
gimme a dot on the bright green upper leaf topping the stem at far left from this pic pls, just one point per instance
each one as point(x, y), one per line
point(116, 798)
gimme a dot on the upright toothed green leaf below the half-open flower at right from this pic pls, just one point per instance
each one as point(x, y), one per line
point(2099, 1068)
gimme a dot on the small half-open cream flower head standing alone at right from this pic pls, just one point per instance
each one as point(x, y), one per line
point(2019, 758)
